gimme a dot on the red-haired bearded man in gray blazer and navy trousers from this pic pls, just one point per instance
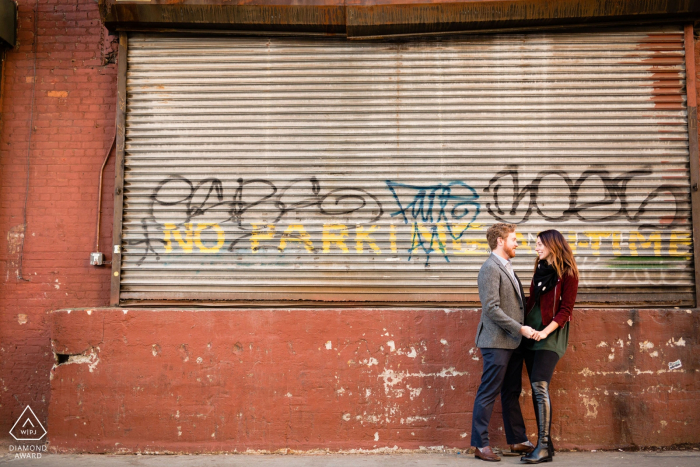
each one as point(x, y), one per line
point(498, 337)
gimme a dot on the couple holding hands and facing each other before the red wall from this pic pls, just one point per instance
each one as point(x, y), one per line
point(506, 318)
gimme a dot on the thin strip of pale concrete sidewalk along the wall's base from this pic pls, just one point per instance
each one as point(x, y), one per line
point(569, 459)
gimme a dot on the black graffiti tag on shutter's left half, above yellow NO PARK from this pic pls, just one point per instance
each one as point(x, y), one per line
point(209, 195)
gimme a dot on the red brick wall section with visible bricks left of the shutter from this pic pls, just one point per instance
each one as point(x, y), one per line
point(71, 128)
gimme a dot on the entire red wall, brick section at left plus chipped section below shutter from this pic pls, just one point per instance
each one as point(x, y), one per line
point(63, 99)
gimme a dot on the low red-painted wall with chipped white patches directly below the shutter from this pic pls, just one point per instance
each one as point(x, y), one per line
point(225, 380)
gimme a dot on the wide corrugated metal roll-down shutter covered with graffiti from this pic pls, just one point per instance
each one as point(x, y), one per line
point(321, 169)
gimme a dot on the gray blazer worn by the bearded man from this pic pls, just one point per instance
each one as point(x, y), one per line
point(502, 309)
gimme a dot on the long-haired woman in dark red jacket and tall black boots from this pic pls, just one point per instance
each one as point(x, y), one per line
point(552, 296)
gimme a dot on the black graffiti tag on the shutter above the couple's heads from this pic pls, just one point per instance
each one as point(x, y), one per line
point(615, 189)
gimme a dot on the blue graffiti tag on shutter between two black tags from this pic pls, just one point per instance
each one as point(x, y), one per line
point(431, 205)
